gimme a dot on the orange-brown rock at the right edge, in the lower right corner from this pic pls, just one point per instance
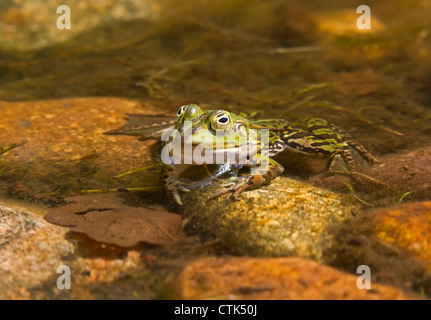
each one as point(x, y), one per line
point(394, 242)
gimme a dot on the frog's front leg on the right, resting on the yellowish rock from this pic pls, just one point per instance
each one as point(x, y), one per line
point(262, 174)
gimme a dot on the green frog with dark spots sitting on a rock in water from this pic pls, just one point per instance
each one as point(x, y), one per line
point(230, 137)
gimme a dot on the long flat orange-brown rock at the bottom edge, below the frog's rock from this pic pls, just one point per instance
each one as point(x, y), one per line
point(273, 278)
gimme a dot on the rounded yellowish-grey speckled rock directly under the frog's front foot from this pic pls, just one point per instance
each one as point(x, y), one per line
point(285, 218)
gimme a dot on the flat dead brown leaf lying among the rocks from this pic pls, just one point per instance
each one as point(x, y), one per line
point(105, 218)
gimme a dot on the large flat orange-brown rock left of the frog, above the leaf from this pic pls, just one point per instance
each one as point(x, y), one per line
point(62, 148)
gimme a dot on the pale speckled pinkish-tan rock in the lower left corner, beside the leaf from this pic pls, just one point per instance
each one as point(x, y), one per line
point(31, 250)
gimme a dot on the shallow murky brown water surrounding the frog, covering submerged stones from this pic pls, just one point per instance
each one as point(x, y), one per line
point(291, 60)
